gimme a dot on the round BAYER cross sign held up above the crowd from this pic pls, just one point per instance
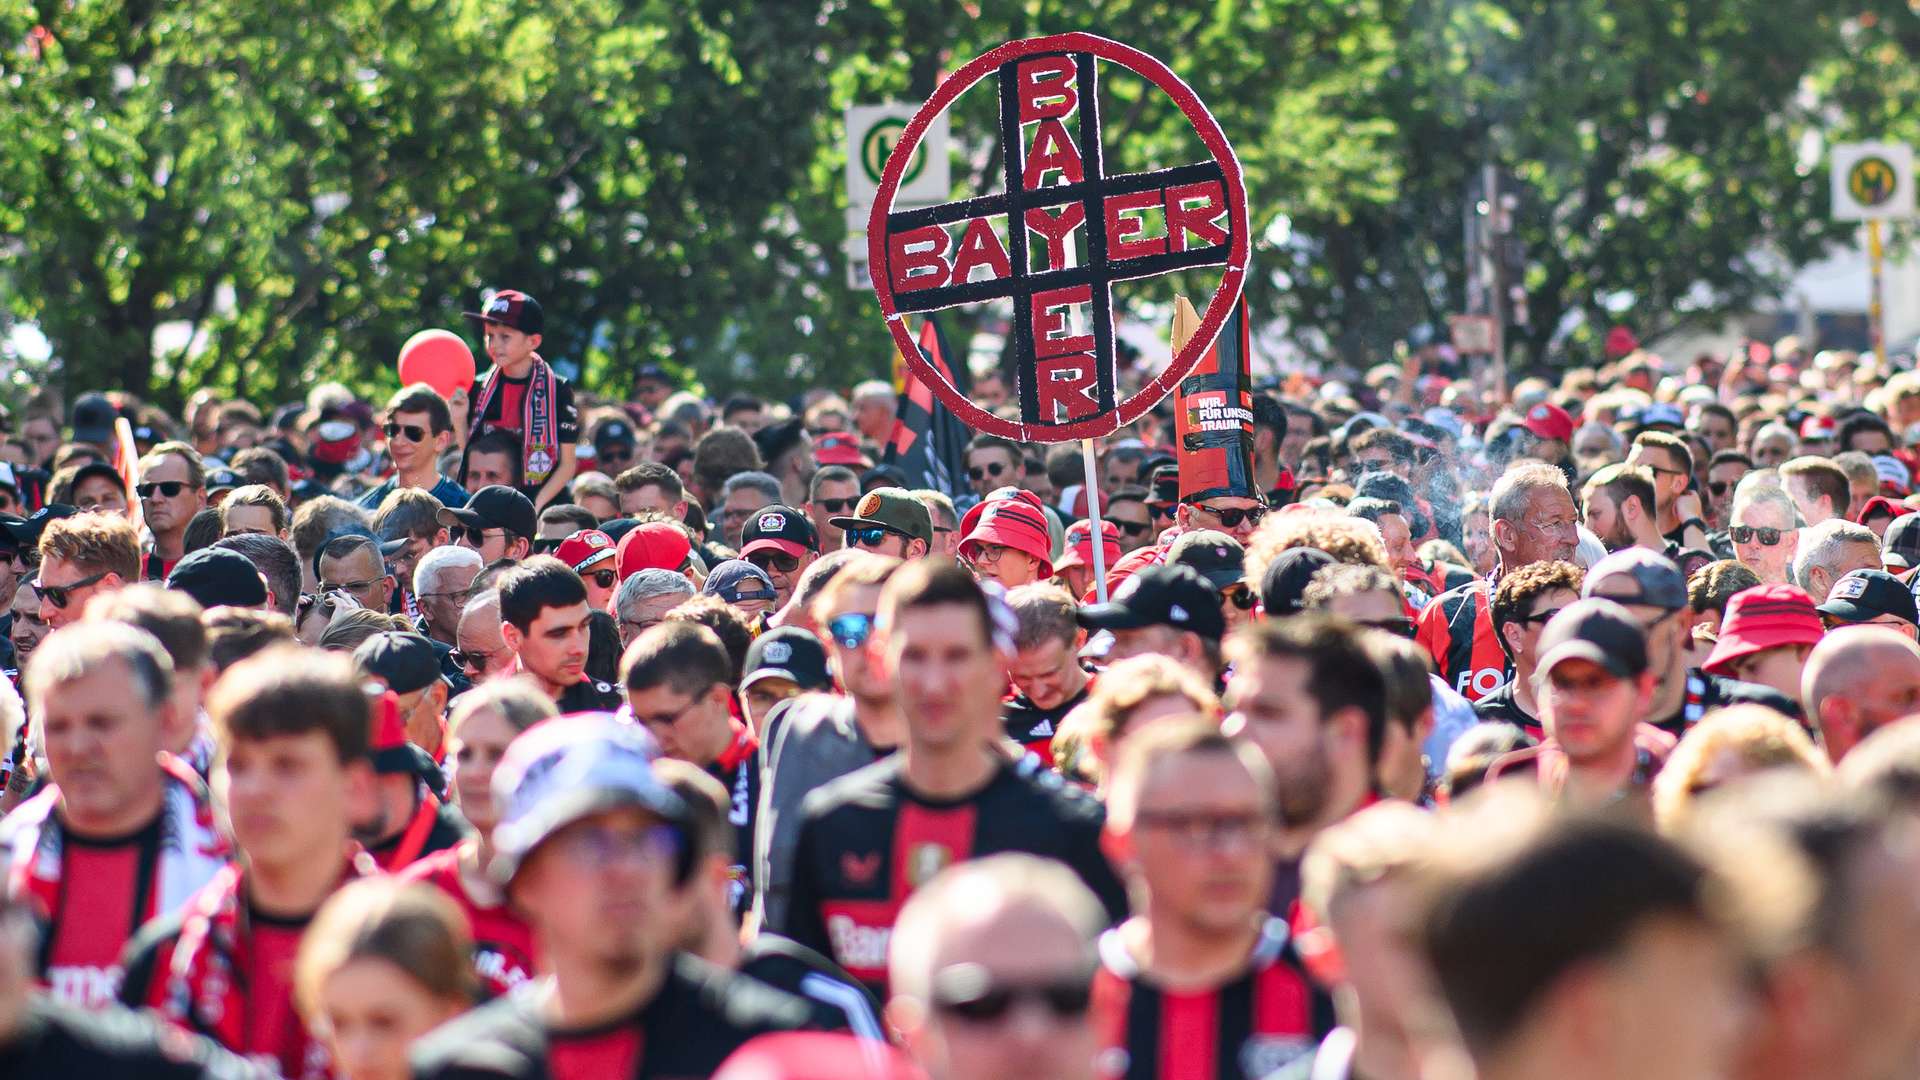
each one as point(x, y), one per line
point(1061, 199)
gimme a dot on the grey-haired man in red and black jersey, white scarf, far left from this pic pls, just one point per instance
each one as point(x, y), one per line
point(120, 835)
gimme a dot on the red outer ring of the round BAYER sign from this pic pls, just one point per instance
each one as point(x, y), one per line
point(1216, 312)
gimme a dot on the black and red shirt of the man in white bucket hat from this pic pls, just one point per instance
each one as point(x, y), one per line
point(694, 1023)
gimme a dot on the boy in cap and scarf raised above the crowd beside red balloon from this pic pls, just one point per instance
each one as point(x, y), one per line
point(523, 395)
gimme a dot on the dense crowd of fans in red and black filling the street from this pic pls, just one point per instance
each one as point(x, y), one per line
point(521, 733)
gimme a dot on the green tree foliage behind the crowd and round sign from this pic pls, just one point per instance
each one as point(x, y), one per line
point(304, 187)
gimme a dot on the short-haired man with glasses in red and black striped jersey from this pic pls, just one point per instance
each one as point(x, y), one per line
point(1203, 973)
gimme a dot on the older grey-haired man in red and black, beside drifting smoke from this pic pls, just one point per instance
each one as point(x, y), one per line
point(1533, 522)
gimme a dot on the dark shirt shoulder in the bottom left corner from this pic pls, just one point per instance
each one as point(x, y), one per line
point(60, 1043)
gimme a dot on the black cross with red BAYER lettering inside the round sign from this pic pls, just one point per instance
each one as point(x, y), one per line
point(1057, 185)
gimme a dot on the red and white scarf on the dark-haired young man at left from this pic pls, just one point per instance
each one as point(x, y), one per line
point(204, 985)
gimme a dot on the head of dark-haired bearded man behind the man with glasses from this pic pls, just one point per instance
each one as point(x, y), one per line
point(1312, 699)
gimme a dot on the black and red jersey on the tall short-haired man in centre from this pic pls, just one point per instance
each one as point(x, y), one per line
point(867, 843)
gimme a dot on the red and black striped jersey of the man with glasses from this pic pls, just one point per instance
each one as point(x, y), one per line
point(1241, 1031)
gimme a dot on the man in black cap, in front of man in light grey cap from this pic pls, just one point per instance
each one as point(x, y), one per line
point(1593, 685)
